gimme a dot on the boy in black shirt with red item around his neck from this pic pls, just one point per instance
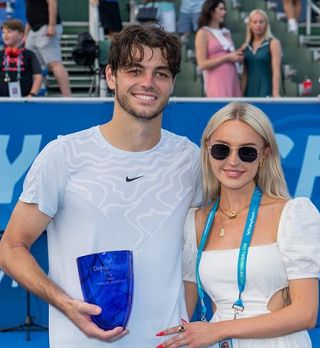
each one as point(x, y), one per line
point(20, 71)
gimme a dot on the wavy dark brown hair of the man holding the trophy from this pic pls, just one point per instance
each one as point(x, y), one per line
point(127, 47)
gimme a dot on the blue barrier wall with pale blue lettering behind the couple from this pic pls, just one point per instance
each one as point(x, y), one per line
point(26, 127)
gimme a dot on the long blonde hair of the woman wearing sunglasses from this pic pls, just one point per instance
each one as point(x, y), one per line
point(270, 177)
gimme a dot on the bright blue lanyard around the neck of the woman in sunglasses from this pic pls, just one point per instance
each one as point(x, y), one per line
point(243, 252)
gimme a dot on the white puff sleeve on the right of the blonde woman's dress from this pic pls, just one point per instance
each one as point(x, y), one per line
point(299, 239)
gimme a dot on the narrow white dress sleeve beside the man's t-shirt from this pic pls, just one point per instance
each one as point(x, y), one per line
point(189, 253)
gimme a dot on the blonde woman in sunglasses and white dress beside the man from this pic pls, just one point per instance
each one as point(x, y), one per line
point(252, 248)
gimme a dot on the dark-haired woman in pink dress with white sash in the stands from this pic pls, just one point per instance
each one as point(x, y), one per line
point(215, 52)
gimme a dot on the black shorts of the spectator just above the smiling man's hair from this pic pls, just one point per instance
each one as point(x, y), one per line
point(109, 14)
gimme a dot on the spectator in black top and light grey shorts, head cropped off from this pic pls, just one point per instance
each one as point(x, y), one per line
point(43, 33)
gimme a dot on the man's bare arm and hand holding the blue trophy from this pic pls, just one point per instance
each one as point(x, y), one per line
point(25, 226)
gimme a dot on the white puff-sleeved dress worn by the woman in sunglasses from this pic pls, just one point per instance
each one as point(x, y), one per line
point(295, 255)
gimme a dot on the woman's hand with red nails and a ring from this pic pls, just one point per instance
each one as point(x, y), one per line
point(193, 335)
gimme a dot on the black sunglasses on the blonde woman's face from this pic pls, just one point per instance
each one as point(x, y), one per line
point(222, 151)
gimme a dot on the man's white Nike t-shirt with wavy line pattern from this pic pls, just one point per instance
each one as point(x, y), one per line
point(102, 198)
